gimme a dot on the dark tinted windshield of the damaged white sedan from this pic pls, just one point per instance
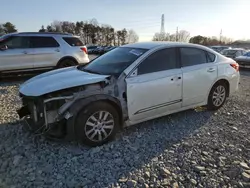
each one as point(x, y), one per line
point(114, 62)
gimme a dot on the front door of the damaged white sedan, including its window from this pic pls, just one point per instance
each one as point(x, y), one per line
point(155, 86)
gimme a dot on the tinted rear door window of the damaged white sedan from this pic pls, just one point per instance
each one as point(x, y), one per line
point(192, 56)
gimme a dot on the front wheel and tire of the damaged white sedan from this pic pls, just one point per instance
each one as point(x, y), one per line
point(87, 127)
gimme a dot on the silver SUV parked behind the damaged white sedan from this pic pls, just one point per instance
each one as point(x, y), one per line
point(29, 51)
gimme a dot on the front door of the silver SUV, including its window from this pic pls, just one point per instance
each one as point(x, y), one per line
point(18, 55)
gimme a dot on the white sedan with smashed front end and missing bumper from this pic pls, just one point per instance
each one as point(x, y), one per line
point(128, 85)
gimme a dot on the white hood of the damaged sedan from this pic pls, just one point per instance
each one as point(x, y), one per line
point(57, 80)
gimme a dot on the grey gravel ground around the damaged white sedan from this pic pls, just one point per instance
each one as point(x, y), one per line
point(187, 149)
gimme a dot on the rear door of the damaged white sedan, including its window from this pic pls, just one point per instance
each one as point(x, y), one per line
point(199, 73)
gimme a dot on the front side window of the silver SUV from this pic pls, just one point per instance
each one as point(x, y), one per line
point(17, 42)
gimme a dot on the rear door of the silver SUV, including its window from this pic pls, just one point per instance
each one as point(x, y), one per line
point(46, 51)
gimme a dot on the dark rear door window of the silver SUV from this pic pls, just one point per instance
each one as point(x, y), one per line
point(43, 42)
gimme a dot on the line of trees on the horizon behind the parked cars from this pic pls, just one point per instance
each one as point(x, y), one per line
point(91, 32)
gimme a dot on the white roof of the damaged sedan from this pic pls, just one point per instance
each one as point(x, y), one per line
point(153, 44)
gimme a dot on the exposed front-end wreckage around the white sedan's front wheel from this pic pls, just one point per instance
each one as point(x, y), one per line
point(59, 122)
